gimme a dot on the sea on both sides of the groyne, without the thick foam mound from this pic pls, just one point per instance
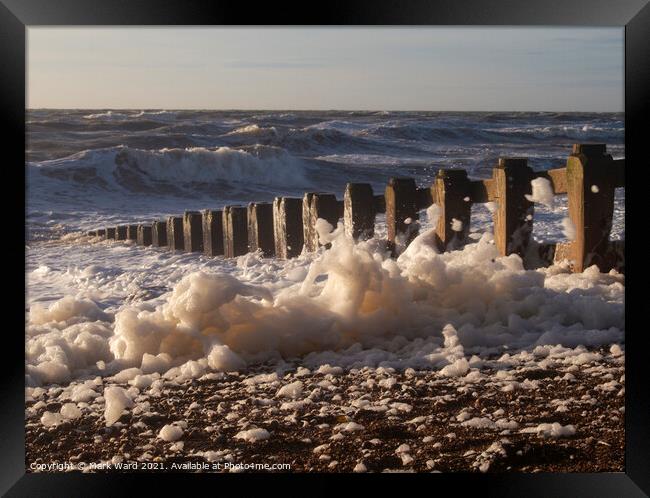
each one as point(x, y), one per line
point(89, 169)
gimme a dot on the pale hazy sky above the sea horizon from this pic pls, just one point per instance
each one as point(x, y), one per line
point(370, 68)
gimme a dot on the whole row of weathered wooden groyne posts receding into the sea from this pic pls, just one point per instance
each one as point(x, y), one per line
point(287, 225)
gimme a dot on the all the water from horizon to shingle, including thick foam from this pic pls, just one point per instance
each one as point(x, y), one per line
point(89, 169)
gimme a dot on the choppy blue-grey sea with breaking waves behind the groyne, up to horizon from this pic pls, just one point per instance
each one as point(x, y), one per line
point(89, 168)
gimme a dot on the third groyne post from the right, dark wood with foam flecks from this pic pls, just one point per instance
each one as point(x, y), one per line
point(452, 193)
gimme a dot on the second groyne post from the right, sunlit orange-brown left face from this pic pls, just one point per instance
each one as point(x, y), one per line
point(513, 218)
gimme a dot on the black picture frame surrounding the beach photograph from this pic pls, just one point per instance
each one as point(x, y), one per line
point(17, 15)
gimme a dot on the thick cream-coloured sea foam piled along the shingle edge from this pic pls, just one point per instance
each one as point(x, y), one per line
point(353, 306)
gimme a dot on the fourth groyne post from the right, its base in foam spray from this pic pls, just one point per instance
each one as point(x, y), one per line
point(401, 210)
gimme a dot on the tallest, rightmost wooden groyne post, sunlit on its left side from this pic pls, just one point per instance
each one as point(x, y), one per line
point(590, 187)
